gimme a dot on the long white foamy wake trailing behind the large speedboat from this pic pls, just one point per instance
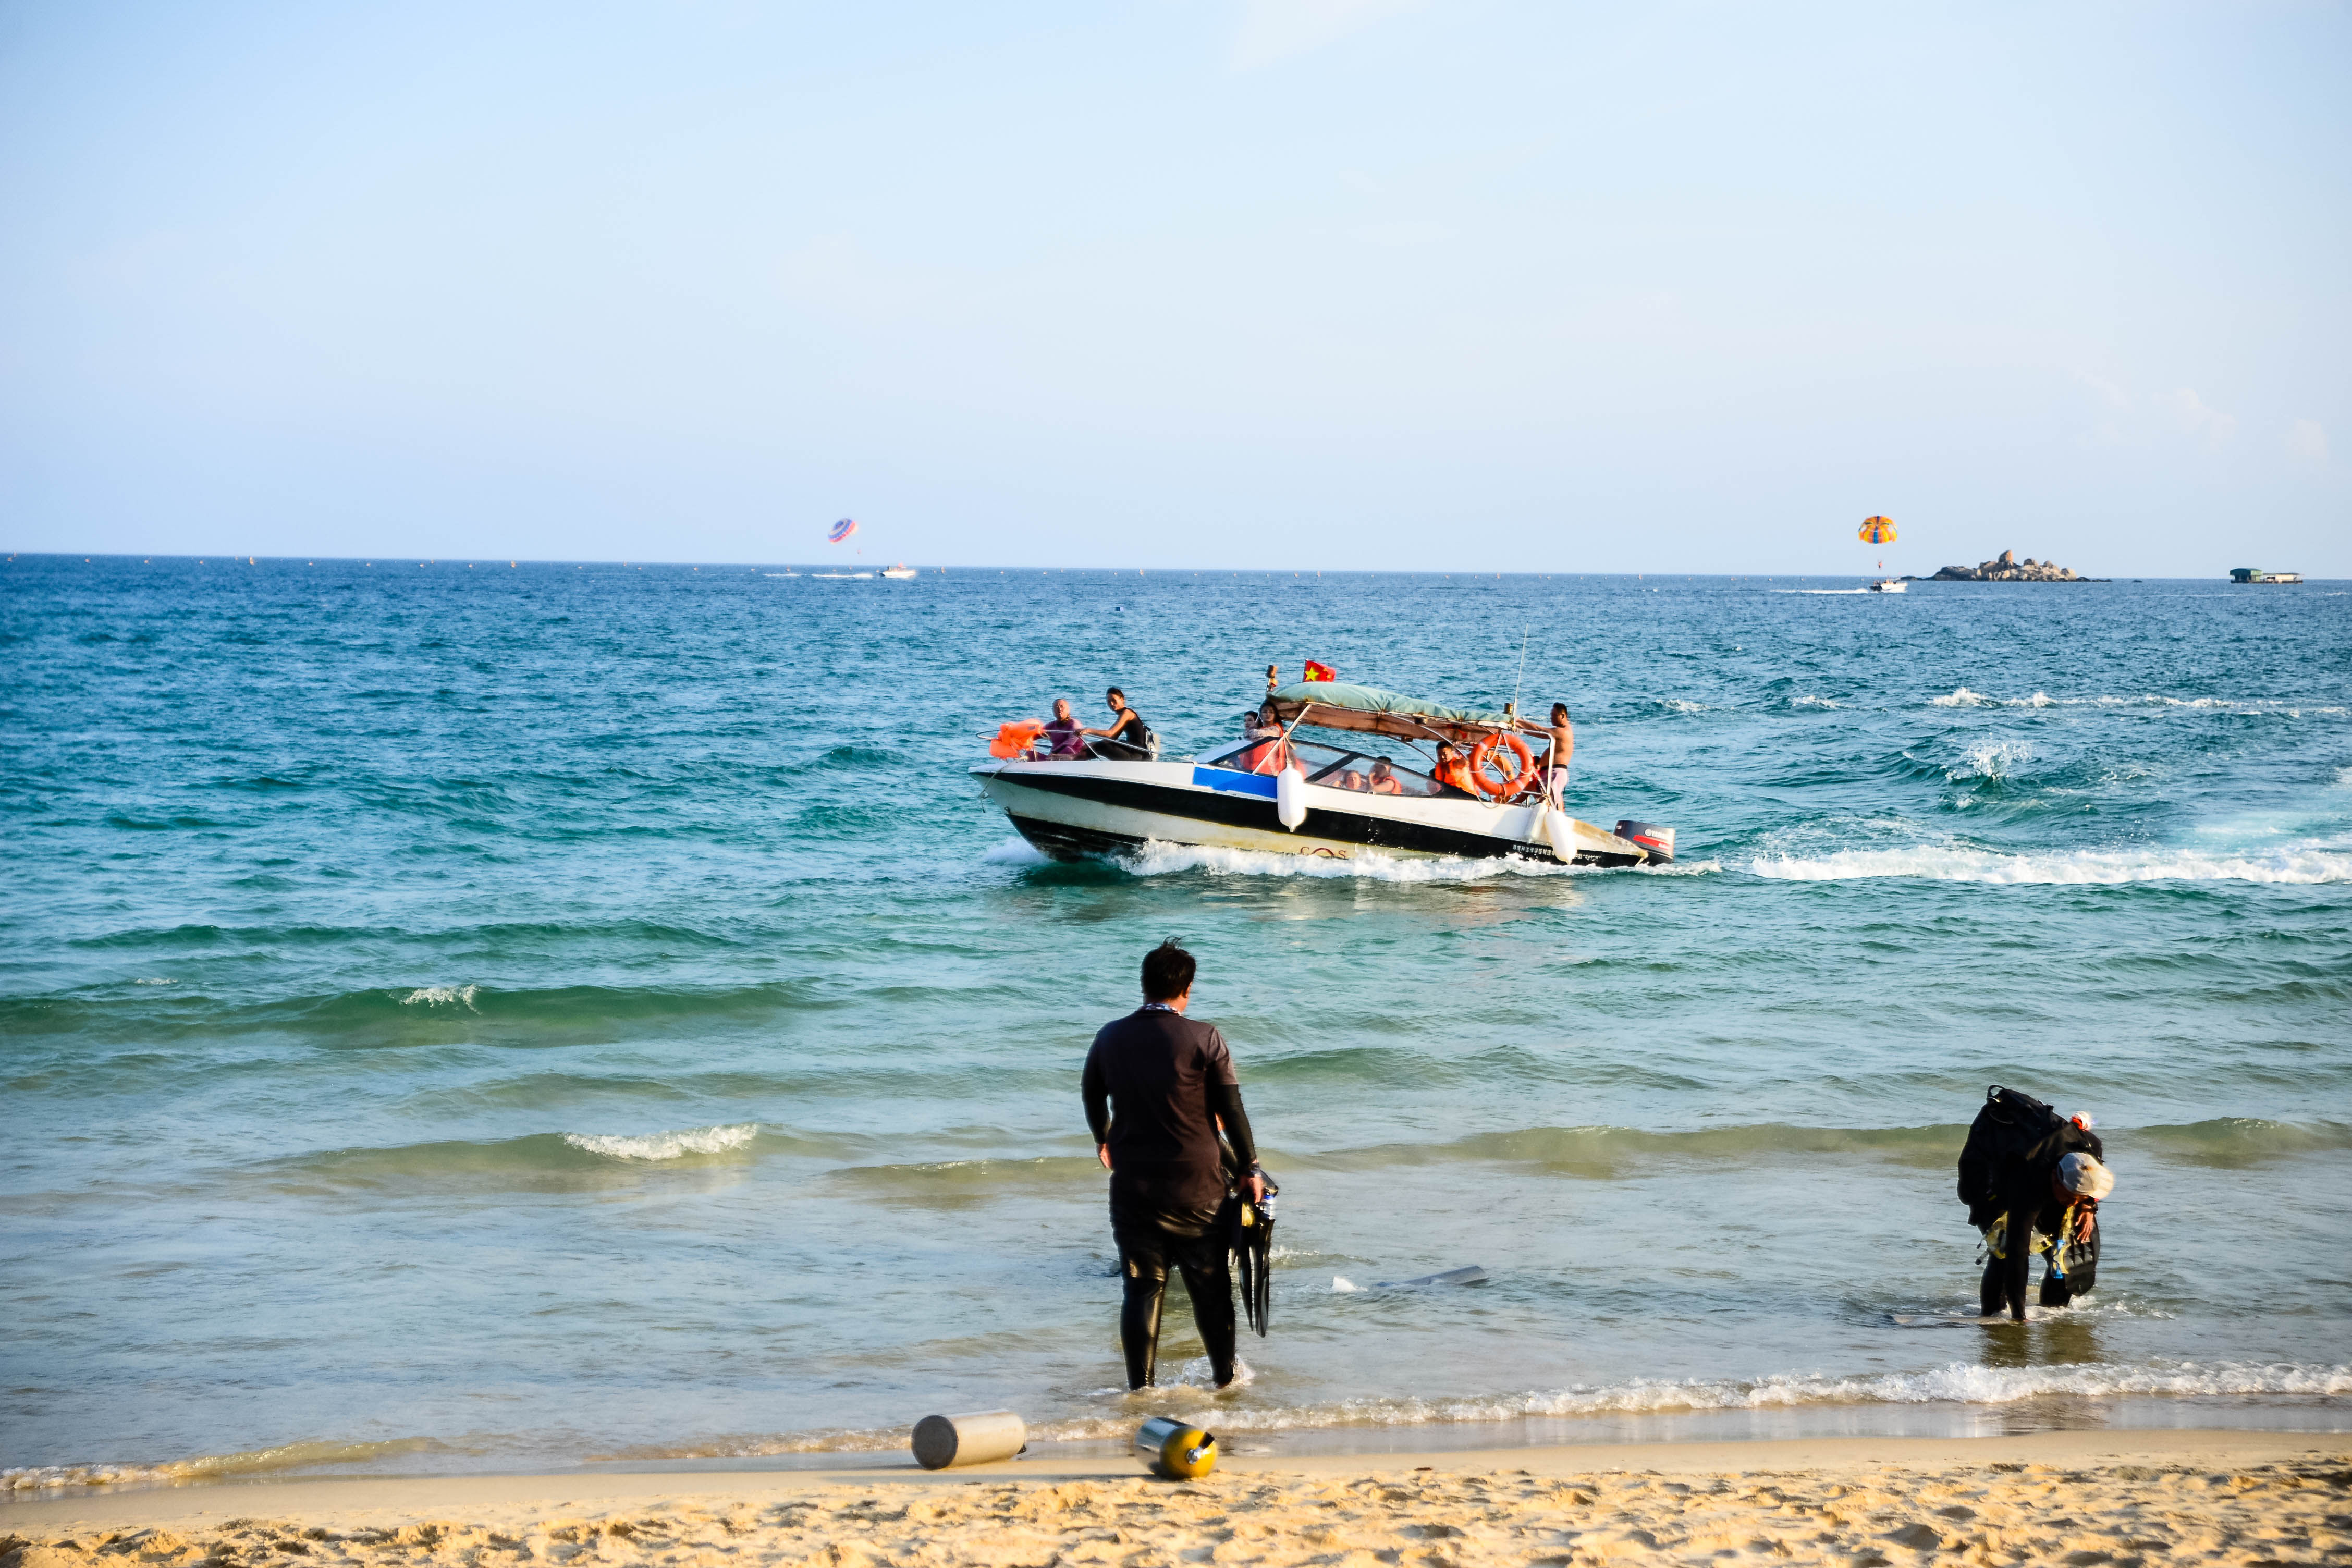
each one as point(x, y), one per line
point(2076, 866)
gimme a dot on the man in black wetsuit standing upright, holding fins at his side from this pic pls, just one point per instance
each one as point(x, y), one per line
point(1158, 1087)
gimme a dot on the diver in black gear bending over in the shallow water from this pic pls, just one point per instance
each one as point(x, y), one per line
point(2033, 1177)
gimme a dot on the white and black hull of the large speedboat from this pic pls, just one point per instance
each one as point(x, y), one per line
point(1076, 810)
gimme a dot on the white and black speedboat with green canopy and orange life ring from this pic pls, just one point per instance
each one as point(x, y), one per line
point(1347, 772)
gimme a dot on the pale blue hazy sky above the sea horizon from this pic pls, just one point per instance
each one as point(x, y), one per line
point(1182, 283)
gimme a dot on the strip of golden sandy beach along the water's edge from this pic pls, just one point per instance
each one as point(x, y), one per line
point(2038, 1499)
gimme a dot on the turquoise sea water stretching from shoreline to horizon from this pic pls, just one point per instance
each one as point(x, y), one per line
point(500, 1017)
